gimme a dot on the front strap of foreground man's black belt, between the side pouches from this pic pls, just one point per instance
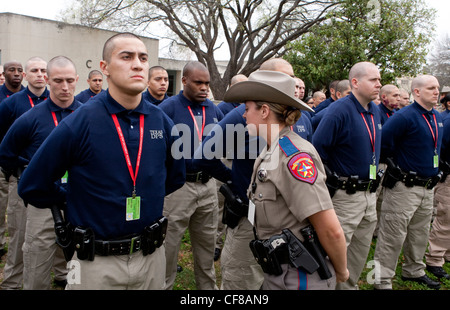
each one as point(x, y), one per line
point(118, 247)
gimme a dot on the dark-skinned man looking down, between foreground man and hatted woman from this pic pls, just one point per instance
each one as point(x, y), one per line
point(195, 205)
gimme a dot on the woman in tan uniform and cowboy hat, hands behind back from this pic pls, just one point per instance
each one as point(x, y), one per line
point(288, 192)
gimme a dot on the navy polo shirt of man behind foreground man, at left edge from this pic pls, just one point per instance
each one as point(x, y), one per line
point(29, 131)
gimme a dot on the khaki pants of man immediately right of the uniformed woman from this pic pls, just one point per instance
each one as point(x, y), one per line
point(357, 216)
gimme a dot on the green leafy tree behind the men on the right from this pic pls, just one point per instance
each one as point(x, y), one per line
point(393, 34)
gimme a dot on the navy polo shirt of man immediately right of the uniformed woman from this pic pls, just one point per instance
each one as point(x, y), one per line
point(343, 141)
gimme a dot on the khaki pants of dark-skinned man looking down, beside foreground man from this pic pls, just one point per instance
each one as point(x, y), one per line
point(193, 207)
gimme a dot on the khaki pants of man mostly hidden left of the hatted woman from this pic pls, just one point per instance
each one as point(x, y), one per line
point(240, 271)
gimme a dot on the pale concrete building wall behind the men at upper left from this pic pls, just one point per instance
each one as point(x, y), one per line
point(22, 37)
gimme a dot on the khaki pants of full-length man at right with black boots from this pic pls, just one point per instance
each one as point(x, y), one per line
point(404, 223)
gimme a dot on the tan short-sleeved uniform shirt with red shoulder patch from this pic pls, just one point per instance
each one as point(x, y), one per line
point(290, 186)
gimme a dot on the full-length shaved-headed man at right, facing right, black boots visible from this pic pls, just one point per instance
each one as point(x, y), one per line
point(411, 146)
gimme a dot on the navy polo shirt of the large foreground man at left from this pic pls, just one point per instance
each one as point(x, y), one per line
point(87, 145)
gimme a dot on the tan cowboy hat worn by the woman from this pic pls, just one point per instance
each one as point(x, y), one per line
point(269, 86)
